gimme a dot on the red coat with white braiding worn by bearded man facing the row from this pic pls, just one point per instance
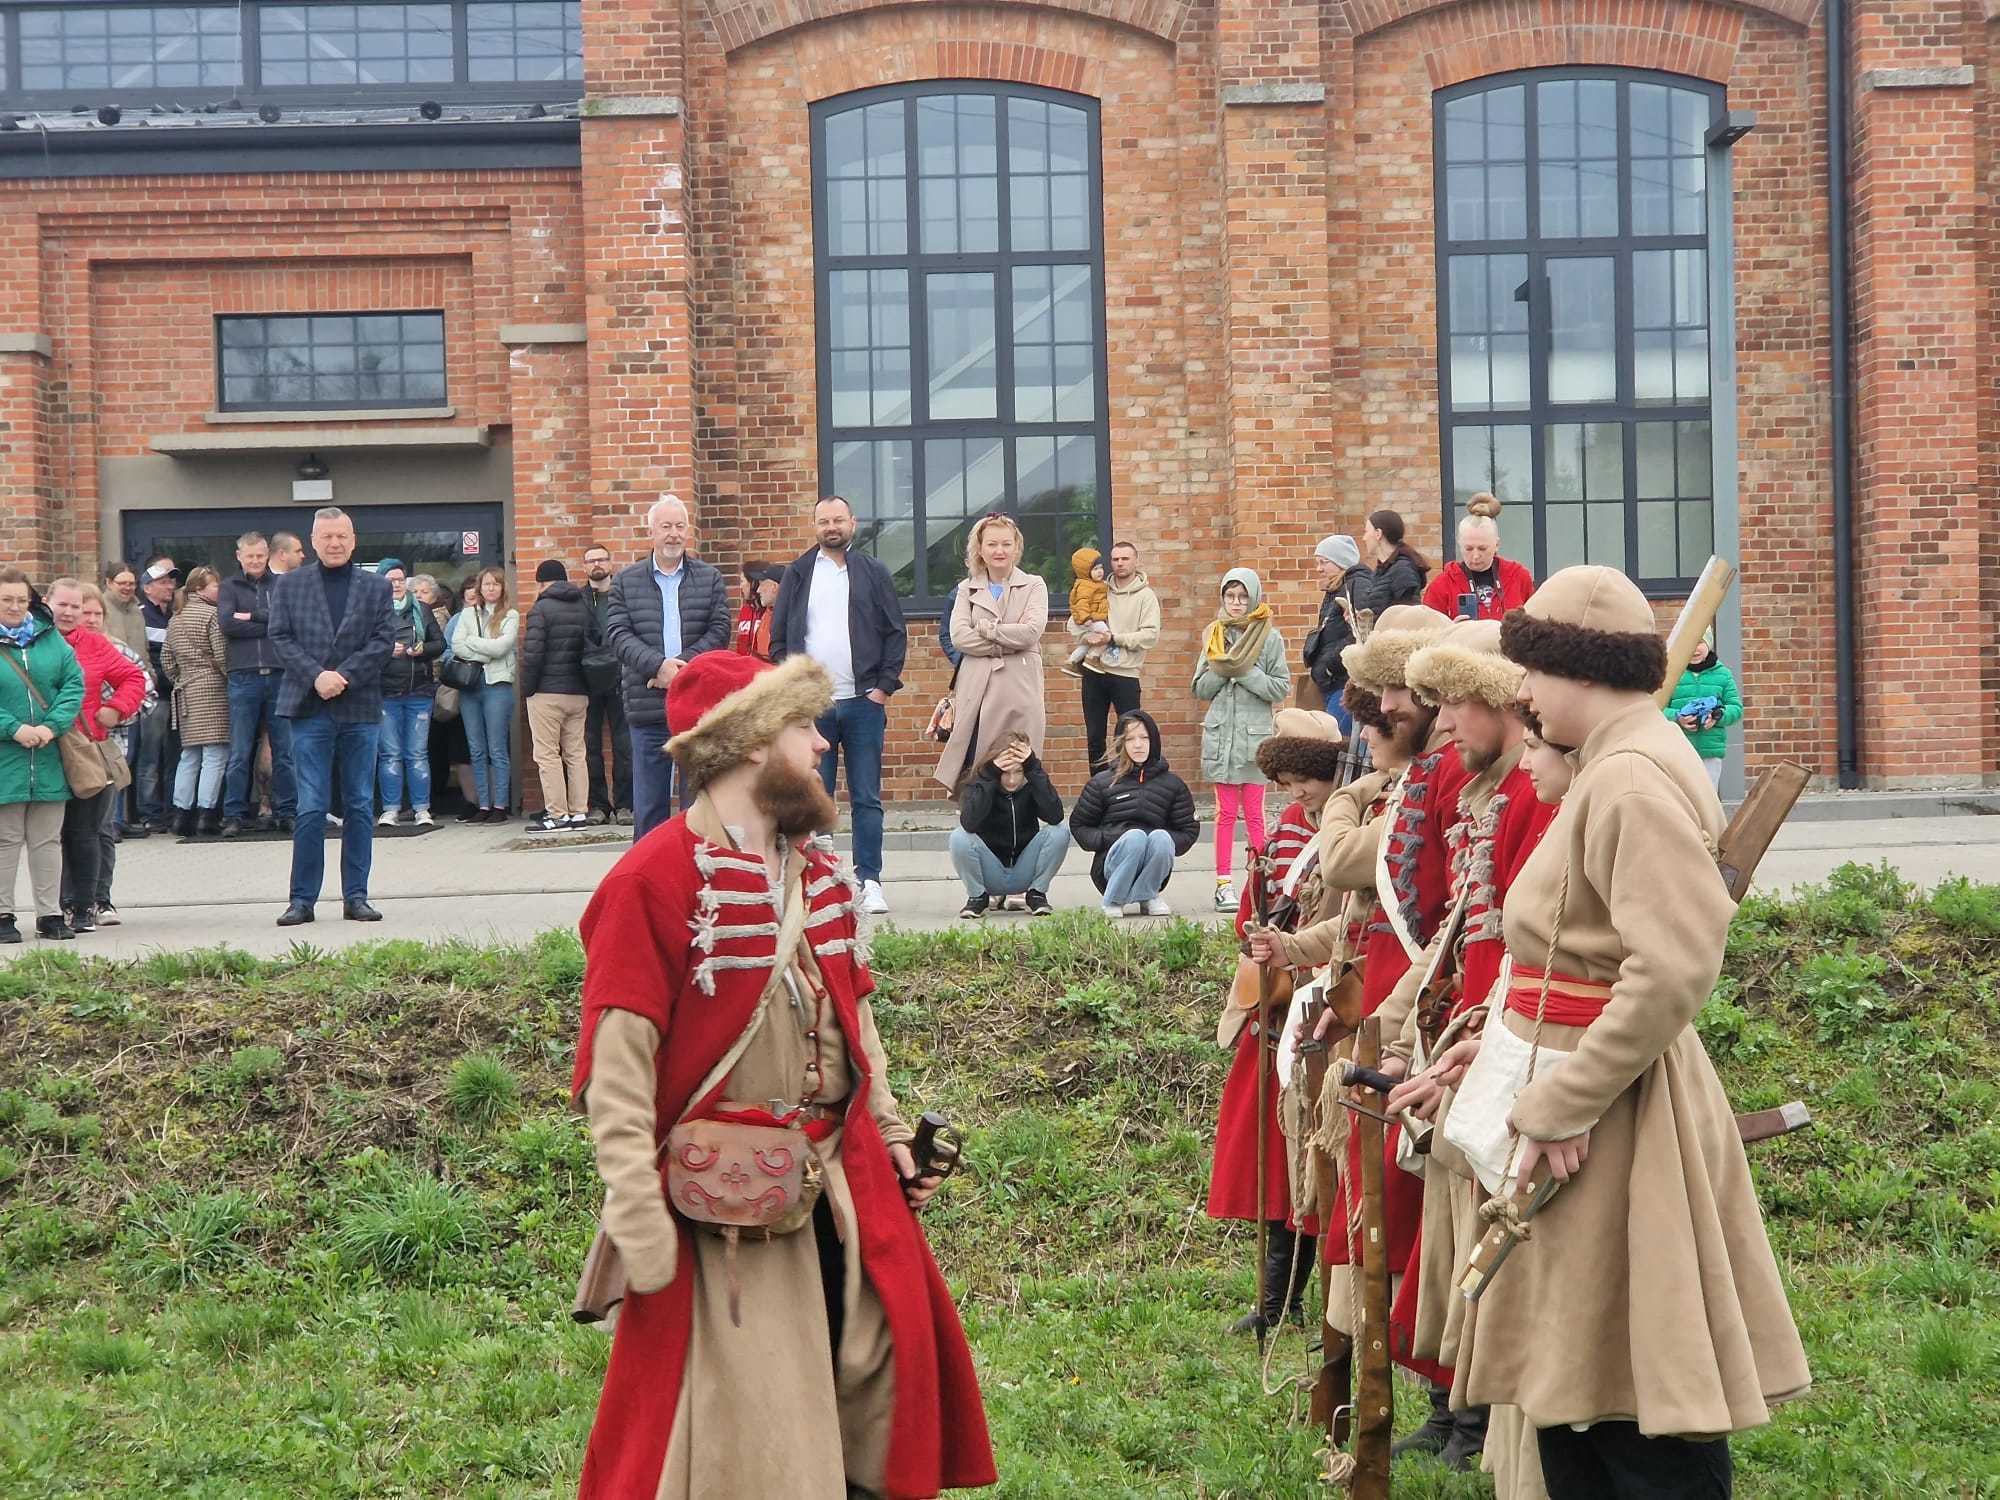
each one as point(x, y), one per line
point(639, 957)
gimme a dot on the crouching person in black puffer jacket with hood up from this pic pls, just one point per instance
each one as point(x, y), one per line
point(1137, 819)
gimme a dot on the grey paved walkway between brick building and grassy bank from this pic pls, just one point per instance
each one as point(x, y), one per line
point(485, 885)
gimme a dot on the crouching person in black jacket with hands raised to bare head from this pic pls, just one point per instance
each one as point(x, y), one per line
point(1011, 835)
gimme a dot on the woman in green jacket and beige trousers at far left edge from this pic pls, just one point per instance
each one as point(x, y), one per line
point(33, 787)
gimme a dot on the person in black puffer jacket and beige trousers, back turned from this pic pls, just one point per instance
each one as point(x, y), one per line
point(561, 629)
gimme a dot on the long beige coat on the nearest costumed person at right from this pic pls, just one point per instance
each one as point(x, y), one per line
point(1649, 1291)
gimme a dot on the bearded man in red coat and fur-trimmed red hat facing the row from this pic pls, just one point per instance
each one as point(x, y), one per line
point(727, 985)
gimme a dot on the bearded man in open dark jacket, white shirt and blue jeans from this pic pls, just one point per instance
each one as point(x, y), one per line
point(839, 607)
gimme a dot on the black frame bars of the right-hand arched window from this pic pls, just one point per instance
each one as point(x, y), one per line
point(1541, 415)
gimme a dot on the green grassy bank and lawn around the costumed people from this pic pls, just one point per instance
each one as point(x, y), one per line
point(311, 1227)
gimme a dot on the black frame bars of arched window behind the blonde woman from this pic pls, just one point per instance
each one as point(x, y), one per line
point(931, 597)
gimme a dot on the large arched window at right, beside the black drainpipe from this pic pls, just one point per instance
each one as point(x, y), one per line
point(1573, 317)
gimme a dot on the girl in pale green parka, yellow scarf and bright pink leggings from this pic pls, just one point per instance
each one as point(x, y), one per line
point(1243, 677)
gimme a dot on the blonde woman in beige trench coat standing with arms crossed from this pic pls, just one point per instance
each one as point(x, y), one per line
point(999, 617)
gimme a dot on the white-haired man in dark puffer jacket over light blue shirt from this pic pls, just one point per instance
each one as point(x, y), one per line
point(667, 609)
